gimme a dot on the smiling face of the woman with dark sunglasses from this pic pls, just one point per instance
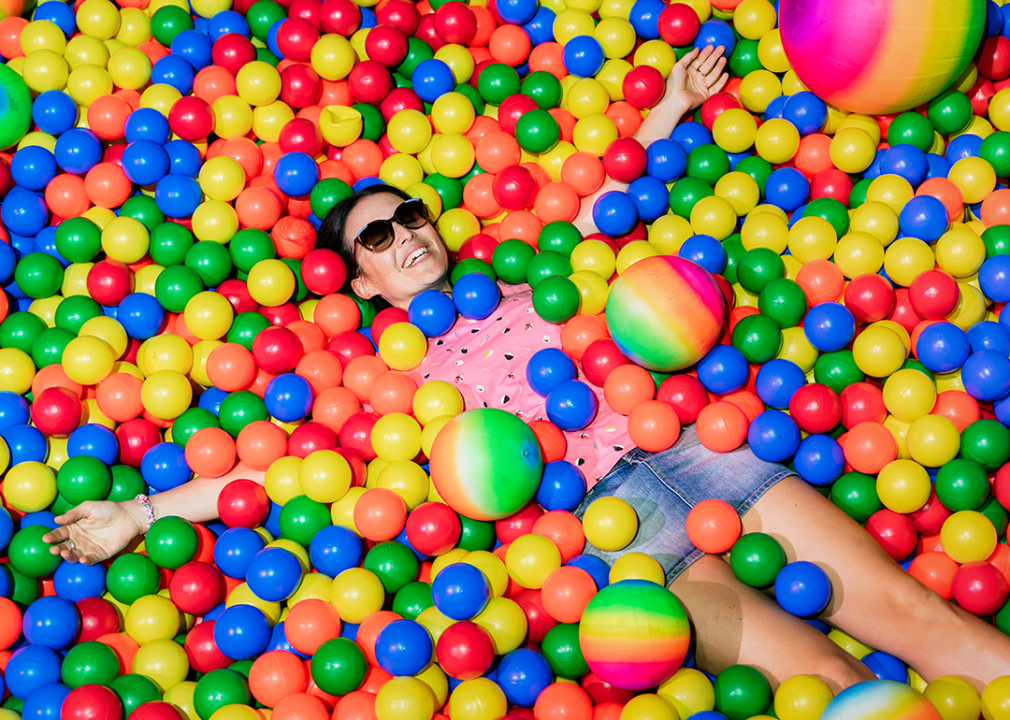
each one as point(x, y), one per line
point(418, 260)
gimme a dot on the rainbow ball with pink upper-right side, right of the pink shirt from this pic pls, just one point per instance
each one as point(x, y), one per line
point(665, 314)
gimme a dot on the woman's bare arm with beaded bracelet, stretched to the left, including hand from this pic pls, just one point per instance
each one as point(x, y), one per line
point(98, 531)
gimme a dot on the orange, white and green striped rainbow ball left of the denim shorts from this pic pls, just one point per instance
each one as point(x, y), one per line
point(486, 464)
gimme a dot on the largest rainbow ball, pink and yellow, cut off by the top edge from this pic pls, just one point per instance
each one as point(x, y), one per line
point(879, 57)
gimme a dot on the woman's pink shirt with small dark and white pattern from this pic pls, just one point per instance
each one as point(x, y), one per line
point(486, 361)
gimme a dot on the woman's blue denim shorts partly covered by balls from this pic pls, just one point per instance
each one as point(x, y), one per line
point(663, 487)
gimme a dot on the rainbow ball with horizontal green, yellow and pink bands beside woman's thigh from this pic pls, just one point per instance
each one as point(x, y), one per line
point(635, 635)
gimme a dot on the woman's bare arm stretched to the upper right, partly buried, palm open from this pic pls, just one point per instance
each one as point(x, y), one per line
point(694, 79)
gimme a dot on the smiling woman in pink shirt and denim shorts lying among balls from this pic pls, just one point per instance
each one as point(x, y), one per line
point(393, 253)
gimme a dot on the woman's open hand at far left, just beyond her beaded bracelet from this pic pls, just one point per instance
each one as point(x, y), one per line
point(93, 532)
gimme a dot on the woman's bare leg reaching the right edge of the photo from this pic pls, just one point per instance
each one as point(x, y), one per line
point(873, 598)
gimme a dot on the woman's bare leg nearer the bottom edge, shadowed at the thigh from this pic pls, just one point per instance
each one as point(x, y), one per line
point(736, 625)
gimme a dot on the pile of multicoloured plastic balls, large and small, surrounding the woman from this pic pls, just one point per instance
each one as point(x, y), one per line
point(815, 264)
